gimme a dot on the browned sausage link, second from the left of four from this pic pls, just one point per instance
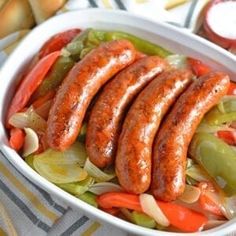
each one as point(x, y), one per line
point(108, 112)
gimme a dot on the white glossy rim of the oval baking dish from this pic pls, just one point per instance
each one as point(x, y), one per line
point(25, 170)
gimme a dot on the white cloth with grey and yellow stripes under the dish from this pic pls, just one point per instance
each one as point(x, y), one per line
point(27, 209)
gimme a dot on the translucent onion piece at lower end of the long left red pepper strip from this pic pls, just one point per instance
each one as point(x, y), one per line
point(28, 119)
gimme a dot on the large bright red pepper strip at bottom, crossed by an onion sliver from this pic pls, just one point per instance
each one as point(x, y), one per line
point(178, 216)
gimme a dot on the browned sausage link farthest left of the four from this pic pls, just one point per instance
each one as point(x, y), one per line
point(80, 86)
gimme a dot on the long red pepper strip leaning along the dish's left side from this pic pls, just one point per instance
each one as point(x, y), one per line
point(30, 83)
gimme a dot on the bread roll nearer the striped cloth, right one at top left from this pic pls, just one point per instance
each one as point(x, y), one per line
point(43, 9)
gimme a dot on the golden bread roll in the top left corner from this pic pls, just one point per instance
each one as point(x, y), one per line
point(15, 15)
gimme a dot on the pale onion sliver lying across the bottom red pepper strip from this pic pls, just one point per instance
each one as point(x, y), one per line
point(151, 208)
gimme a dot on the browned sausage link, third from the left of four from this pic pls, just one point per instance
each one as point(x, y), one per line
point(134, 151)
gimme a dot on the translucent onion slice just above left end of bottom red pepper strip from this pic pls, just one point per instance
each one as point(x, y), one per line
point(100, 188)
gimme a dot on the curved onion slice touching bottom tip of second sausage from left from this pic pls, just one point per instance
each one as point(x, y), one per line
point(96, 173)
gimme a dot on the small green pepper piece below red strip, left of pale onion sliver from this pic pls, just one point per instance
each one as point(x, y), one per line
point(144, 220)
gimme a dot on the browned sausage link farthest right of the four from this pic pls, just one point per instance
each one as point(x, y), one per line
point(172, 141)
